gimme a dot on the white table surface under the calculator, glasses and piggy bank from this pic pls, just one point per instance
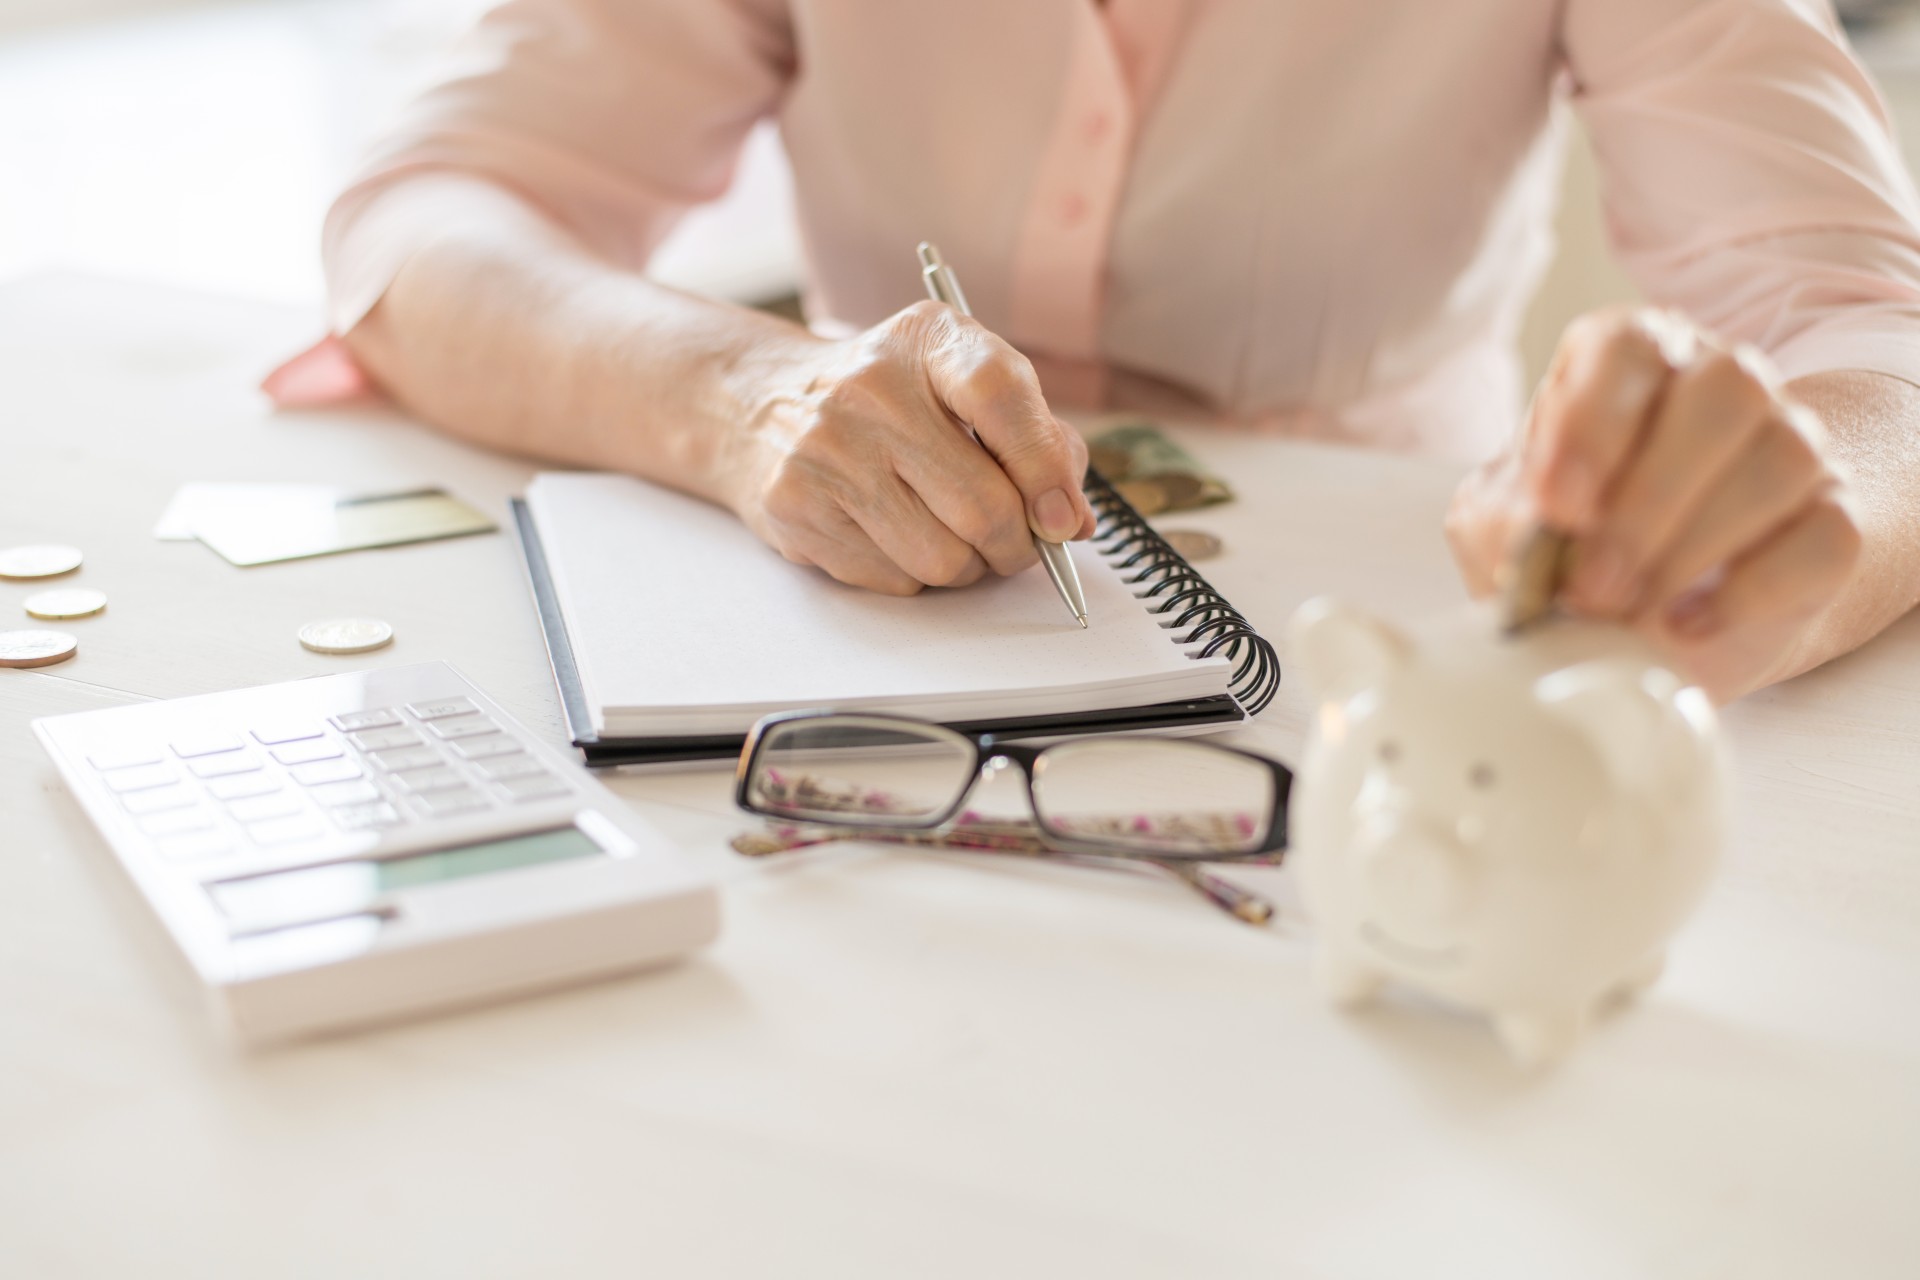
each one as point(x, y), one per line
point(894, 1064)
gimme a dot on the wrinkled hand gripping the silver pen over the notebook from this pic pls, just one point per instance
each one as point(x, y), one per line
point(861, 460)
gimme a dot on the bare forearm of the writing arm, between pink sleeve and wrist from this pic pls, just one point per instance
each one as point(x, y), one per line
point(508, 333)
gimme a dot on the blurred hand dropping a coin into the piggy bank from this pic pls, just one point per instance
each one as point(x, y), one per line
point(1702, 500)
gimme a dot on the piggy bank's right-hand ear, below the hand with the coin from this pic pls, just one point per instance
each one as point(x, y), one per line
point(1637, 717)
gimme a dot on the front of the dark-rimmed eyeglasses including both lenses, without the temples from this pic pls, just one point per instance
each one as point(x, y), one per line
point(1157, 799)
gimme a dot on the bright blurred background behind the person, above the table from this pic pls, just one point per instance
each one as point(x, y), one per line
point(199, 143)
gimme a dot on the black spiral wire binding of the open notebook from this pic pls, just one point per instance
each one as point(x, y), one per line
point(1191, 607)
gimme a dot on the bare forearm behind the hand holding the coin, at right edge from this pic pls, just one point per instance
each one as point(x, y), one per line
point(1873, 425)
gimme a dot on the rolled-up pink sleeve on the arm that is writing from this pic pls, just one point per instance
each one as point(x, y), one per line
point(613, 116)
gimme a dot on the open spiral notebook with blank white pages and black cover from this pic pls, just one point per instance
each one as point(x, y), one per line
point(673, 628)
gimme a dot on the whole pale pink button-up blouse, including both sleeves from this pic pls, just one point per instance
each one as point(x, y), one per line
point(1322, 220)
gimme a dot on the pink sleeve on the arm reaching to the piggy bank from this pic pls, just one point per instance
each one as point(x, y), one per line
point(1752, 176)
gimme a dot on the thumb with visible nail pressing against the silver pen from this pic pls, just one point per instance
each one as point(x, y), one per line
point(997, 396)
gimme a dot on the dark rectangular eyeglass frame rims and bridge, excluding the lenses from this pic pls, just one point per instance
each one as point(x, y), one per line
point(992, 751)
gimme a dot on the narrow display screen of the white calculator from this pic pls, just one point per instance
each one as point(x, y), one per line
point(343, 888)
